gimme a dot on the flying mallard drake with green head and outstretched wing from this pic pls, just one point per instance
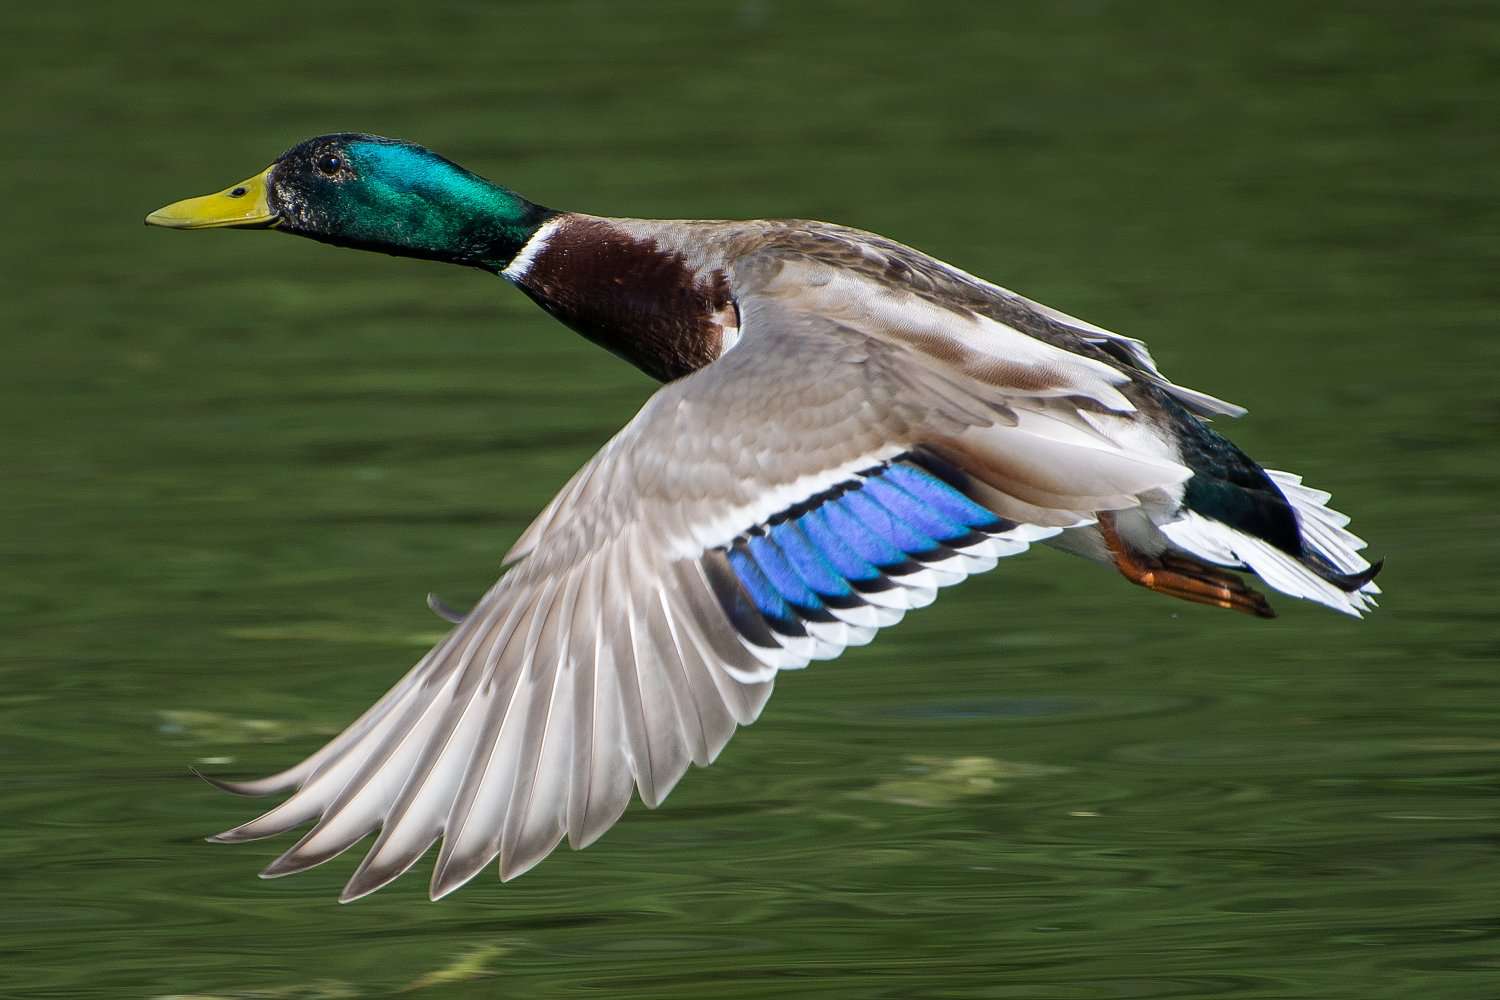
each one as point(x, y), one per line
point(847, 427)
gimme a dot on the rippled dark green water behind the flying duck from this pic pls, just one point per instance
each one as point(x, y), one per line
point(233, 464)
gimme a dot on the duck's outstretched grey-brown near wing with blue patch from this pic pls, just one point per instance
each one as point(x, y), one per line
point(790, 500)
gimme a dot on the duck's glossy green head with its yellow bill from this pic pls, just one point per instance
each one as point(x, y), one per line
point(376, 194)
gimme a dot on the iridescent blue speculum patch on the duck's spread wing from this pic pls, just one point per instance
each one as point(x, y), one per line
point(821, 552)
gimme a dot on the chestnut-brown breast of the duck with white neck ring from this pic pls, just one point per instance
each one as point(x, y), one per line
point(628, 293)
